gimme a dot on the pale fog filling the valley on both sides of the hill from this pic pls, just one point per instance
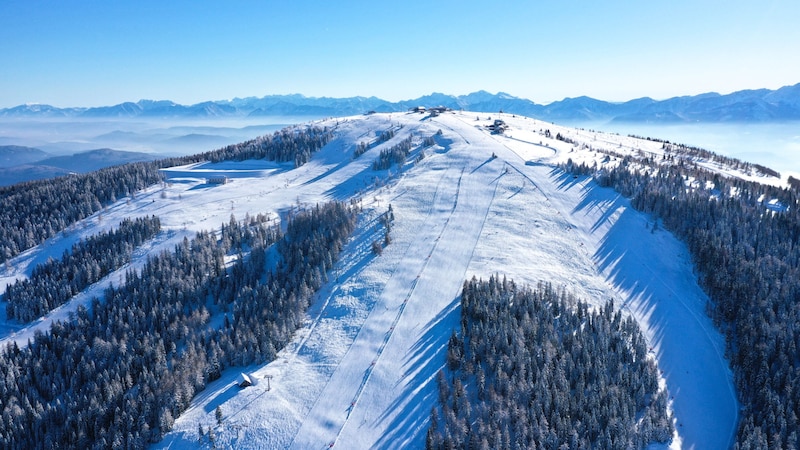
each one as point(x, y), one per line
point(775, 145)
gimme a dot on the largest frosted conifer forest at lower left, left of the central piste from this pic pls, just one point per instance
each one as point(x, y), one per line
point(116, 375)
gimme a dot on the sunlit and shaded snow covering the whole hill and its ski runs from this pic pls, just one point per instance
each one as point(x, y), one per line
point(360, 372)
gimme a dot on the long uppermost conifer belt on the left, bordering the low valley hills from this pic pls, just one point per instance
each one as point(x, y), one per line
point(34, 211)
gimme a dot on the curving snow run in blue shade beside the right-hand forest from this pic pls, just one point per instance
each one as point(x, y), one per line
point(651, 273)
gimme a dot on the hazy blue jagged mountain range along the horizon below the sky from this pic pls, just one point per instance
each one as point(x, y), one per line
point(761, 105)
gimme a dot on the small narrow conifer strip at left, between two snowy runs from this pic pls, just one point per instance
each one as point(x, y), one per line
point(53, 283)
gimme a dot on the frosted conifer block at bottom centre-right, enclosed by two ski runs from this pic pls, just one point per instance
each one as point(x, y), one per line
point(535, 368)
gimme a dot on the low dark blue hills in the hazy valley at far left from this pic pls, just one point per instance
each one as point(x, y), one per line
point(19, 163)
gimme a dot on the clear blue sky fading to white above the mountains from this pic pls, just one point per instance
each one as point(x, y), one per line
point(100, 52)
